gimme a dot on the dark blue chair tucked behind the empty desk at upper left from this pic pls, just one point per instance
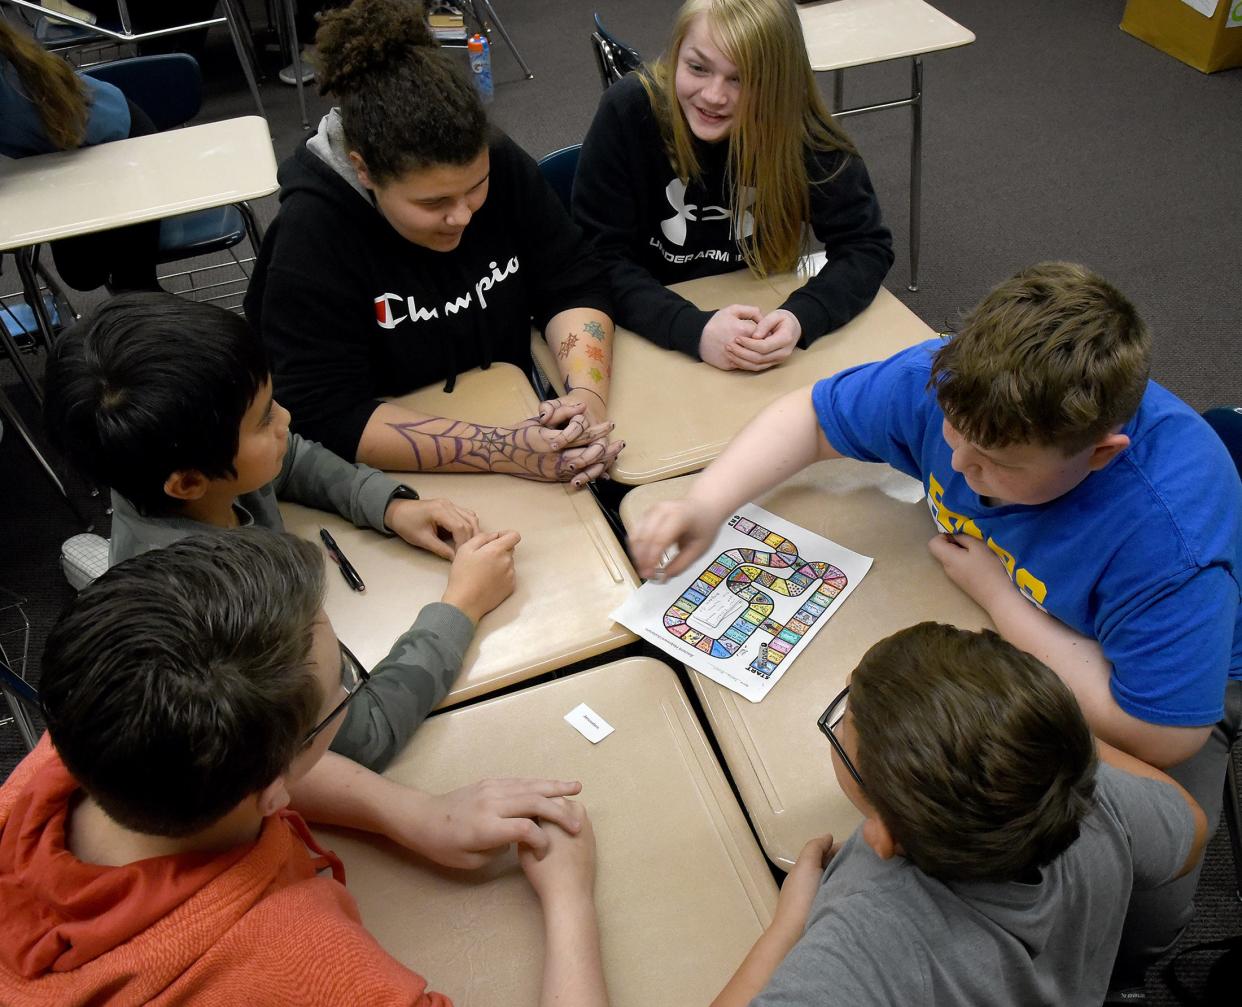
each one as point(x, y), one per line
point(170, 90)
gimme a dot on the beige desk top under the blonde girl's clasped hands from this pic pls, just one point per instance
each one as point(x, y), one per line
point(678, 414)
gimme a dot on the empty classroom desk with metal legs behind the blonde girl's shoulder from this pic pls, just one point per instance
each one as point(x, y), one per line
point(843, 34)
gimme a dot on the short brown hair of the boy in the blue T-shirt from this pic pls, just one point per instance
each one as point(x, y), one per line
point(1055, 356)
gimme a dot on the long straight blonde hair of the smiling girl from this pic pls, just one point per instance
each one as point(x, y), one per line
point(781, 116)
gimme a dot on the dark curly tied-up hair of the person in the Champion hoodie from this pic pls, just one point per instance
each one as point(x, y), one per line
point(404, 105)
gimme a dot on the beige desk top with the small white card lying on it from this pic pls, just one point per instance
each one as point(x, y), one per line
point(682, 888)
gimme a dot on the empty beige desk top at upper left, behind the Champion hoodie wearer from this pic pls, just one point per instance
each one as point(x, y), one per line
point(129, 182)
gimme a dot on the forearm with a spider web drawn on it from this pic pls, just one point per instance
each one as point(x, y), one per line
point(398, 439)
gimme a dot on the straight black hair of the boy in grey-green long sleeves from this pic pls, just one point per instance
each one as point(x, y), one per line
point(151, 384)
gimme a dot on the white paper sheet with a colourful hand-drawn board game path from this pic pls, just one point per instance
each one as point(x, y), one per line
point(751, 605)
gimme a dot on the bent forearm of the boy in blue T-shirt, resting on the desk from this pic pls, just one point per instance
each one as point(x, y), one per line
point(1081, 664)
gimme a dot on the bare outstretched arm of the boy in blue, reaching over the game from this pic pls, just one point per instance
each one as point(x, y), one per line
point(783, 440)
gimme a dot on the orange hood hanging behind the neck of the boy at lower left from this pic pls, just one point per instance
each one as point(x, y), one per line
point(96, 931)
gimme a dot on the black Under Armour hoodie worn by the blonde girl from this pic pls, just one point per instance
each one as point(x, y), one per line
point(653, 230)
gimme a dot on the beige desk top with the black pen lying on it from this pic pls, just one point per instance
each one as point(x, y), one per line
point(572, 571)
